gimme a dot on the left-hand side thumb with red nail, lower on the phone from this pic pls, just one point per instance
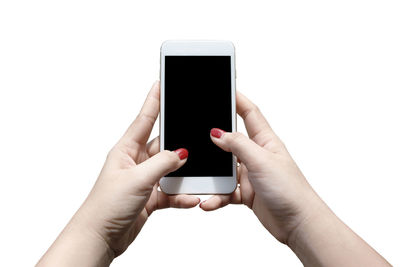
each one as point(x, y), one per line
point(161, 164)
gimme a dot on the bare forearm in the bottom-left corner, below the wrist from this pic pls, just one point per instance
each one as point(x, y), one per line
point(77, 245)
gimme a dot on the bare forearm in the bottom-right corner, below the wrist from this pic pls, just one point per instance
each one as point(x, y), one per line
point(323, 239)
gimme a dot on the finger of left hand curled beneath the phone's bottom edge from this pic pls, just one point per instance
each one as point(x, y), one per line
point(176, 201)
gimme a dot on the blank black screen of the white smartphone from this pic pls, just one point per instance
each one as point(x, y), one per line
point(198, 98)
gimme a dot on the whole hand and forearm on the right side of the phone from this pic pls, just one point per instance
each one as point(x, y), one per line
point(271, 184)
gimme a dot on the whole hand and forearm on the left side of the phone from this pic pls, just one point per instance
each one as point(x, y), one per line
point(125, 193)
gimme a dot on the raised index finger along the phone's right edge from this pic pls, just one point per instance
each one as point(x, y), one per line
point(256, 125)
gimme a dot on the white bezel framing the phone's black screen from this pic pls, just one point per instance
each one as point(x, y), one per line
point(202, 184)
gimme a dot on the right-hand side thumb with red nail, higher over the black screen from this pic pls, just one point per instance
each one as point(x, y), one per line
point(241, 146)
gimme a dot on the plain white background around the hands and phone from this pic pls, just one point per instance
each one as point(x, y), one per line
point(74, 74)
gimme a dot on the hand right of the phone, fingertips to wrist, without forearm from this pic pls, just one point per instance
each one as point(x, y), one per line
point(270, 183)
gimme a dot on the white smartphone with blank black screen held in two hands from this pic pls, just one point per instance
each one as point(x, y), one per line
point(198, 94)
